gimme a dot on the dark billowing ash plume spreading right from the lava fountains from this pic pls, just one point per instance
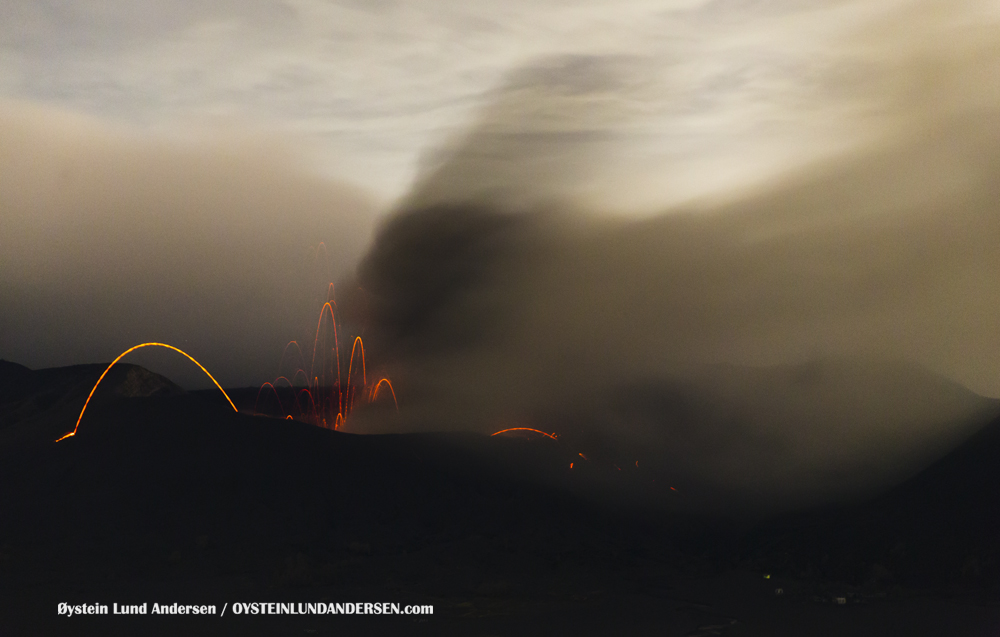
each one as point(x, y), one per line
point(771, 344)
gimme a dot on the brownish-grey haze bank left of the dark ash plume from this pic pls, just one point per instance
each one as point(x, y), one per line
point(207, 241)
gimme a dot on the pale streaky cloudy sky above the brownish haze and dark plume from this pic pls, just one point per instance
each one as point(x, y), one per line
point(368, 88)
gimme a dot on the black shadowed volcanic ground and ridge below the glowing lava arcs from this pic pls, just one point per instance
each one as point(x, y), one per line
point(176, 498)
